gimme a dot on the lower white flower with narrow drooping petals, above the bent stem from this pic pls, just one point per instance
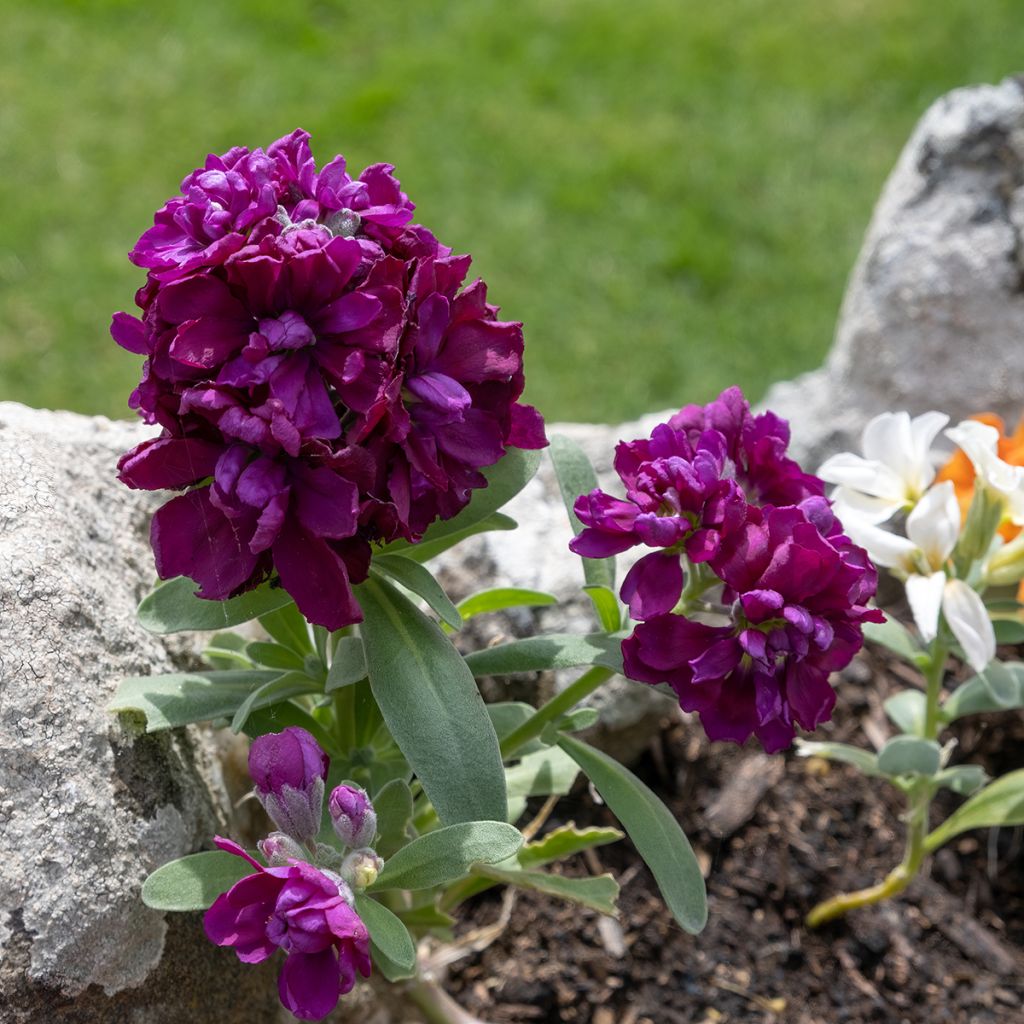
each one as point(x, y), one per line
point(921, 558)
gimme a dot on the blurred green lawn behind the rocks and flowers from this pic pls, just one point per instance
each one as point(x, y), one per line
point(670, 195)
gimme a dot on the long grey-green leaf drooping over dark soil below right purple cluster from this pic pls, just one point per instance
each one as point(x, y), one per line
point(655, 832)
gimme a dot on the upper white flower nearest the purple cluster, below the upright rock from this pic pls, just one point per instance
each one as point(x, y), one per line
point(894, 472)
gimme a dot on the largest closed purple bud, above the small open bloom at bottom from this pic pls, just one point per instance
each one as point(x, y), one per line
point(289, 771)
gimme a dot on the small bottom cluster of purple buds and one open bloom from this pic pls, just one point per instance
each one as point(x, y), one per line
point(304, 909)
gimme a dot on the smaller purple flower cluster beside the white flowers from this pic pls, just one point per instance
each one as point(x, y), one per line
point(715, 488)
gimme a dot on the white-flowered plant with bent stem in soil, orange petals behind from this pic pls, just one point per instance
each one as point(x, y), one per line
point(953, 540)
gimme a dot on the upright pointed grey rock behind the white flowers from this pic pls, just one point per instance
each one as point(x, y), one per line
point(934, 313)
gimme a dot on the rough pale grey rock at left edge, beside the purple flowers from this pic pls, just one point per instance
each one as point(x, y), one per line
point(91, 805)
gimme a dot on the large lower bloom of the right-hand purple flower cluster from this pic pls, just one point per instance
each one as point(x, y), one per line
point(798, 589)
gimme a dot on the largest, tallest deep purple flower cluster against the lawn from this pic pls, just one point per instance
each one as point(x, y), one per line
point(322, 377)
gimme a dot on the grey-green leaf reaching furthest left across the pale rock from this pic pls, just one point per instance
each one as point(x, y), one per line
point(180, 699)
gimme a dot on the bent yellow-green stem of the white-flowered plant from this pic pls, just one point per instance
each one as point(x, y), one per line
point(920, 799)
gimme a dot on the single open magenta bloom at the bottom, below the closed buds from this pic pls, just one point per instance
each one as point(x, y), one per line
point(306, 913)
